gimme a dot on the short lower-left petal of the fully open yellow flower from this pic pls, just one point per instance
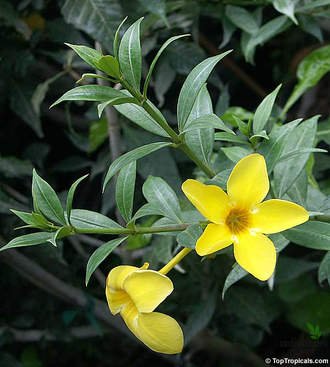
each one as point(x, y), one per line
point(214, 238)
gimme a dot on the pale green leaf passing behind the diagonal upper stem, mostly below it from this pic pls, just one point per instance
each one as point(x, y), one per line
point(139, 116)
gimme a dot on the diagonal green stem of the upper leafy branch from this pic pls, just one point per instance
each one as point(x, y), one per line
point(174, 136)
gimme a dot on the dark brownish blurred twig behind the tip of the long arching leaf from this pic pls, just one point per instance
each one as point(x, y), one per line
point(230, 64)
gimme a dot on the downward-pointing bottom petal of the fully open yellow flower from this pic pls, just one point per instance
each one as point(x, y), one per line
point(256, 254)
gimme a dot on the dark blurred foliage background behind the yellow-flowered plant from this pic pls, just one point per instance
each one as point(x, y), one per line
point(48, 317)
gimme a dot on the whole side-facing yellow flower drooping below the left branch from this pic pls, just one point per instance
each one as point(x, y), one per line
point(135, 293)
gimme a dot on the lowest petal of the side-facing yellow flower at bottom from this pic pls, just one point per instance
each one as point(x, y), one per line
point(160, 332)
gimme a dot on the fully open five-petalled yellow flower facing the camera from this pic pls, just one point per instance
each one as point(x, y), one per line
point(239, 217)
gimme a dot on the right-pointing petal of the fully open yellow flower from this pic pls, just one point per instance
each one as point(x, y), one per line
point(274, 216)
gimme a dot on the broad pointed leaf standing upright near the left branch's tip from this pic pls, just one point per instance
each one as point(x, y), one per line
point(47, 201)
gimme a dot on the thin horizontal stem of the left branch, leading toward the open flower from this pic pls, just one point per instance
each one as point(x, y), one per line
point(135, 231)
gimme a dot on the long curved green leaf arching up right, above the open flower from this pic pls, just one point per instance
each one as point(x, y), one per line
point(192, 86)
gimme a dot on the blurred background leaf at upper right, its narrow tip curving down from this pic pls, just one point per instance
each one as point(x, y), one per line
point(265, 33)
